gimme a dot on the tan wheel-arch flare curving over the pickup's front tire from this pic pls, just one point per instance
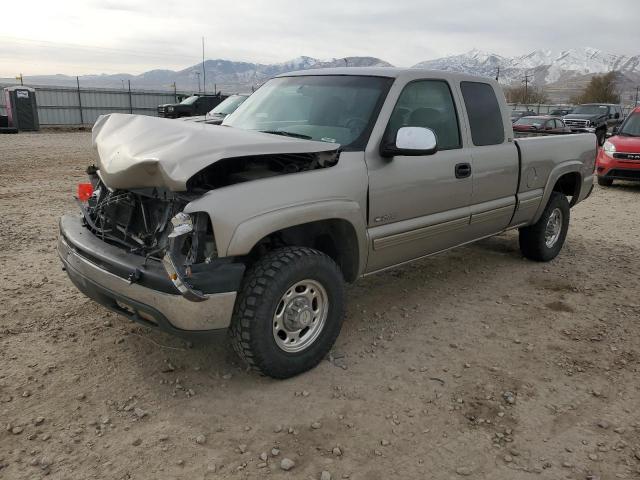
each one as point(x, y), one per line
point(248, 233)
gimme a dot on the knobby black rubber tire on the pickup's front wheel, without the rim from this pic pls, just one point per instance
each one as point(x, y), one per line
point(253, 324)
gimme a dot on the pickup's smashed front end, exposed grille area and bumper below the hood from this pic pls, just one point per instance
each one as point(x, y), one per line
point(136, 252)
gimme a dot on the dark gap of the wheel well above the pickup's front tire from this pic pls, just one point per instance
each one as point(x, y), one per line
point(335, 237)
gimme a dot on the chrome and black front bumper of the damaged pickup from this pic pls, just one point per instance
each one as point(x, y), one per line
point(99, 270)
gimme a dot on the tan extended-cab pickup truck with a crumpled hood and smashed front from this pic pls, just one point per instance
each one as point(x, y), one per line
point(319, 178)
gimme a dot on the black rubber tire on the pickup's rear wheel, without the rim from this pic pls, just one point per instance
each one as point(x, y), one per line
point(533, 239)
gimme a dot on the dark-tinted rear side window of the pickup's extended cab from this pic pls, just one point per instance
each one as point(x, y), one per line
point(483, 110)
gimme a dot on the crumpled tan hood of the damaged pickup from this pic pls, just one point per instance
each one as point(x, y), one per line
point(137, 151)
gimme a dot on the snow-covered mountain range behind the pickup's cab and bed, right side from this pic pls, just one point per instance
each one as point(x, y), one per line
point(547, 66)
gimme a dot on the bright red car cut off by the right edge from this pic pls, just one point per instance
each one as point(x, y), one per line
point(619, 157)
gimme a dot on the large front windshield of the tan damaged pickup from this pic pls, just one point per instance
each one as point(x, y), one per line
point(328, 108)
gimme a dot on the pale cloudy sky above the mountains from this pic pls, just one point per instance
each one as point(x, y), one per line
point(133, 36)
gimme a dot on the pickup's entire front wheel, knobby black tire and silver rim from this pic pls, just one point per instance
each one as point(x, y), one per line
point(289, 311)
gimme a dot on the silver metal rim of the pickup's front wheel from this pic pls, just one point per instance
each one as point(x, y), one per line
point(300, 316)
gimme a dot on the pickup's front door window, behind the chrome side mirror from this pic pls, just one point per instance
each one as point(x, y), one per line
point(429, 104)
